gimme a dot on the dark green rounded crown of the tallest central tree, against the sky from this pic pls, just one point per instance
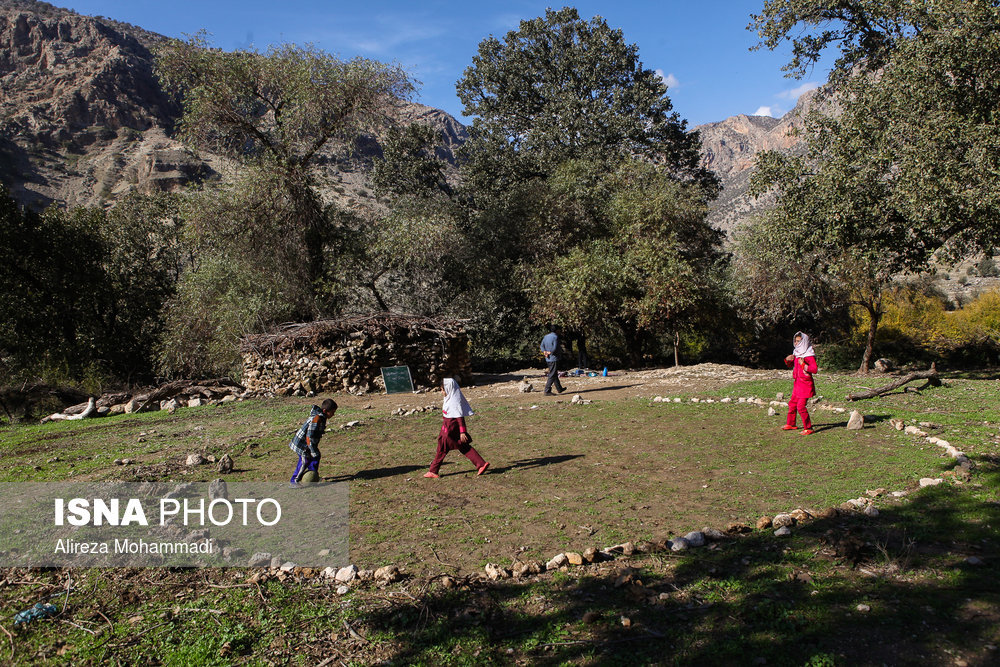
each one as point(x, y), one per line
point(560, 88)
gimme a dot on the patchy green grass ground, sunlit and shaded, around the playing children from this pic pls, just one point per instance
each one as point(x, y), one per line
point(563, 477)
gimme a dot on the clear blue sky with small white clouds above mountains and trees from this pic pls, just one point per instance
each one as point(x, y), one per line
point(701, 48)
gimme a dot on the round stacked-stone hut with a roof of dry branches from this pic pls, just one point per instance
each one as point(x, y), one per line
point(348, 354)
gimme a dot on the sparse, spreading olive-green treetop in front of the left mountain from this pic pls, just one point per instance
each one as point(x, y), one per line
point(286, 105)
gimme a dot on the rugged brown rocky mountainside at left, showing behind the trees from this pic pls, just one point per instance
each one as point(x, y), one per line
point(83, 119)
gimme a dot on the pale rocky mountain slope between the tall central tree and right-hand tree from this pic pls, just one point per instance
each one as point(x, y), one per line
point(729, 148)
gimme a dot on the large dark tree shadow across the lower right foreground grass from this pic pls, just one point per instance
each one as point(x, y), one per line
point(898, 589)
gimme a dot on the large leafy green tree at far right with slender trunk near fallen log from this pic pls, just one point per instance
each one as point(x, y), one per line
point(906, 169)
